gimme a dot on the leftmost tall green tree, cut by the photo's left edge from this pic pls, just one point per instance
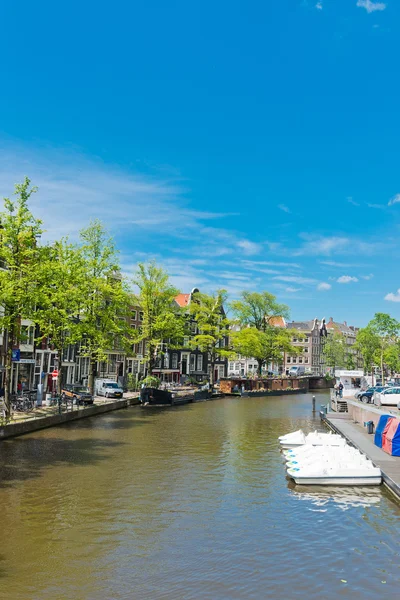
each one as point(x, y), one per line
point(20, 264)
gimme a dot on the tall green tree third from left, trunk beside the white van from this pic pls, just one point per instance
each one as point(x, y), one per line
point(105, 300)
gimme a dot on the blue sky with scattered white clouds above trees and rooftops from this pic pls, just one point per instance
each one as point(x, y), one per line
point(248, 145)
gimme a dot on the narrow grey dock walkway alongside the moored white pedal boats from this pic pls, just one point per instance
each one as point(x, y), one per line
point(357, 436)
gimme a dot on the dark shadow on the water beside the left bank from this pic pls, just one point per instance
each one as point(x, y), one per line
point(26, 457)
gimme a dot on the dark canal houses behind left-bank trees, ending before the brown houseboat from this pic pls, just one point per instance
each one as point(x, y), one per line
point(34, 362)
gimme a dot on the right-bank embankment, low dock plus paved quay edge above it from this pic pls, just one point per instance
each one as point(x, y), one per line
point(353, 430)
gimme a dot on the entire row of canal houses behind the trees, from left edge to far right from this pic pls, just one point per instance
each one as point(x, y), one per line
point(34, 362)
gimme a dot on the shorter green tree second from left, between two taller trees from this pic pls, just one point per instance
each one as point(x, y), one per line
point(62, 288)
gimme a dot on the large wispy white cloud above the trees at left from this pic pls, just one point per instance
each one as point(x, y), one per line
point(74, 189)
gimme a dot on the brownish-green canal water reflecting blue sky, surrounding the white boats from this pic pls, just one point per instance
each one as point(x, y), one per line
point(187, 503)
